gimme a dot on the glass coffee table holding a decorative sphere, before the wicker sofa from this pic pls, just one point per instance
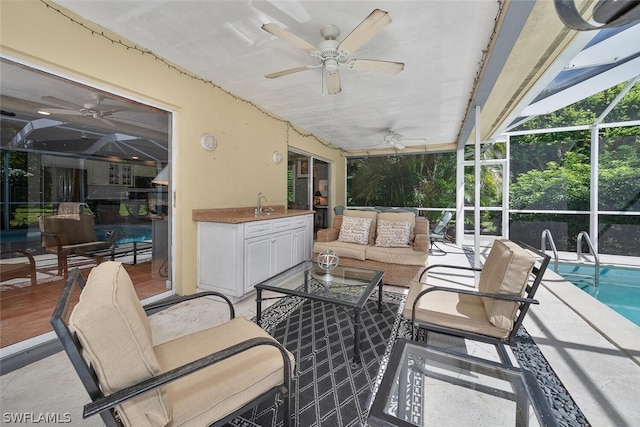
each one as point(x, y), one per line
point(346, 286)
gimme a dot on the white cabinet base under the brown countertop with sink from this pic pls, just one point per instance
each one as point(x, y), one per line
point(233, 258)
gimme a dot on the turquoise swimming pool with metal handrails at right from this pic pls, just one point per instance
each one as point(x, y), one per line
point(618, 287)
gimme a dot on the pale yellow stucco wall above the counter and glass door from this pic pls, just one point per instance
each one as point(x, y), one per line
point(230, 176)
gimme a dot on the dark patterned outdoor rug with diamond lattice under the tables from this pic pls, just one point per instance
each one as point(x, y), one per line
point(329, 390)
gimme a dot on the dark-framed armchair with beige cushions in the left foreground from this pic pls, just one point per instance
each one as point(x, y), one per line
point(202, 378)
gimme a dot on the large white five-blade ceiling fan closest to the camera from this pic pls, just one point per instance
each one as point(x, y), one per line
point(330, 54)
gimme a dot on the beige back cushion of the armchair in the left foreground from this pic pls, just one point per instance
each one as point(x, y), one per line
point(115, 334)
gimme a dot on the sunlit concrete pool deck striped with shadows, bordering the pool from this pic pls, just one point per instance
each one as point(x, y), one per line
point(593, 350)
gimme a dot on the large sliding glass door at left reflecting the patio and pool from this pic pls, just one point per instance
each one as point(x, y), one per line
point(69, 153)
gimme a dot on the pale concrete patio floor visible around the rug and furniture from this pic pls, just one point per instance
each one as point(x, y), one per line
point(594, 351)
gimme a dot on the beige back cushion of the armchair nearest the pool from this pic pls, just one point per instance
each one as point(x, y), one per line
point(506, 271)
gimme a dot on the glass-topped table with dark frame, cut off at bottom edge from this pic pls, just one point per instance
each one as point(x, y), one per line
point(431, 386)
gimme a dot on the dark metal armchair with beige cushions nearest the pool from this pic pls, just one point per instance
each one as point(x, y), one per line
point(495, 311)
